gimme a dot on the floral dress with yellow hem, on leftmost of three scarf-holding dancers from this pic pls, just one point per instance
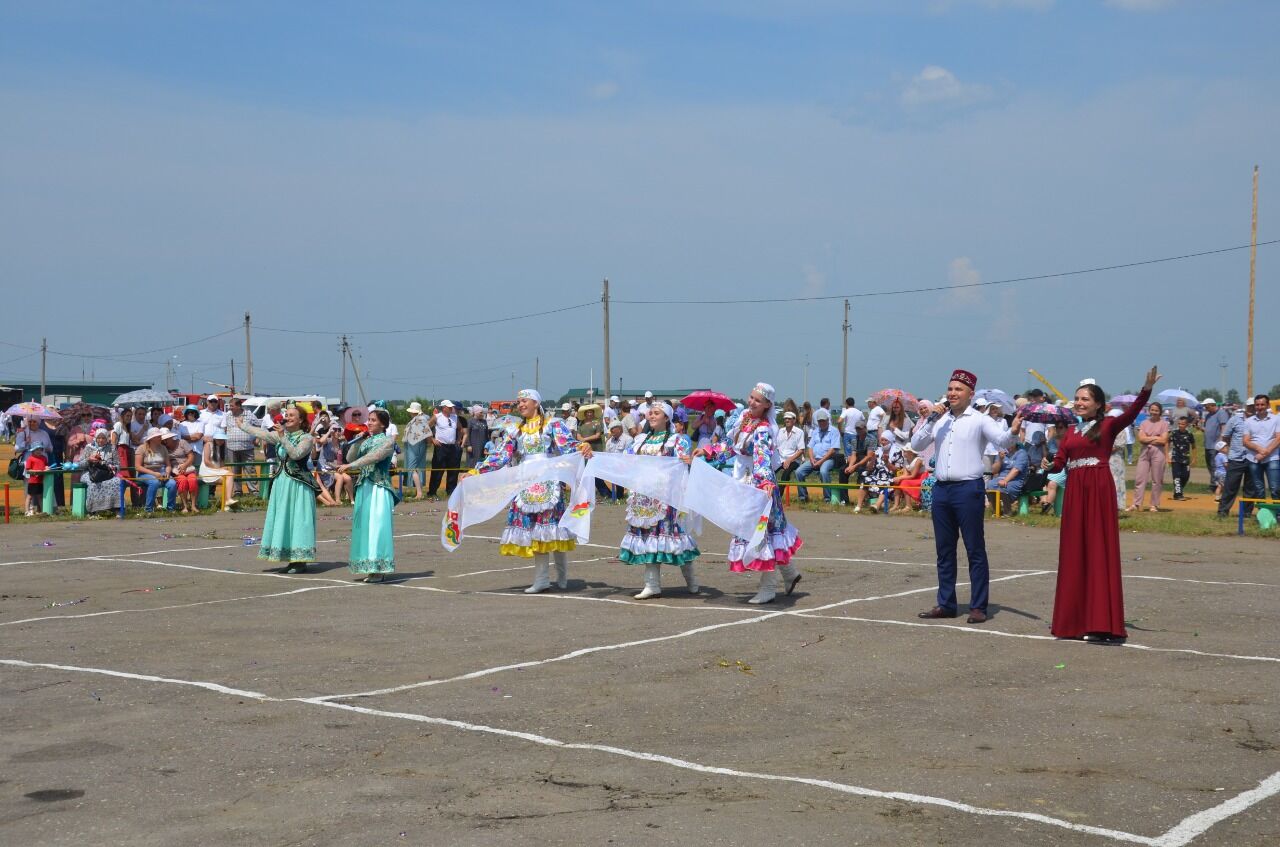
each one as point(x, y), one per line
point(533, 519)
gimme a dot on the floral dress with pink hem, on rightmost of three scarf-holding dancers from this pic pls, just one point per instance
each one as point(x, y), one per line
point(756, 461)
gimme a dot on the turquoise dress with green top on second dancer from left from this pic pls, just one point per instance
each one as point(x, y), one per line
point(373, 551)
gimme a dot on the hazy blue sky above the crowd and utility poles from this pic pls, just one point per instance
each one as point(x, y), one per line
point(336, 168)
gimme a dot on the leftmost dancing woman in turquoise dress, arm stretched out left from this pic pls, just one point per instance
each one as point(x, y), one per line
point(290, 532)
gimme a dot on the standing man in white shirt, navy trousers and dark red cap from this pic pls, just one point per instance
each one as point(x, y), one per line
point(961, 433)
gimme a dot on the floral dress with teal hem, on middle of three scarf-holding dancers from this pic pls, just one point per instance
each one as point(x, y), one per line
point(656, 535)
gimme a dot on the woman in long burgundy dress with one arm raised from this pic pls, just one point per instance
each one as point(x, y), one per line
point(1090, 602)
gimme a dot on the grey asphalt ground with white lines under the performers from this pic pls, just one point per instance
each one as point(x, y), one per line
point(159, 688)
